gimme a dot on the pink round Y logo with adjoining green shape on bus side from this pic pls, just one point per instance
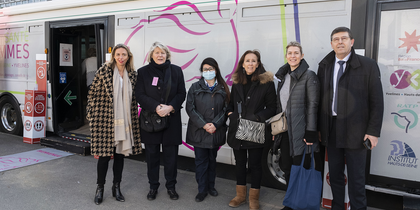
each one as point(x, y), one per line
point(402, 79)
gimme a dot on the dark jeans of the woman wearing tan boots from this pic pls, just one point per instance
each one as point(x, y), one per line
point(254, 158)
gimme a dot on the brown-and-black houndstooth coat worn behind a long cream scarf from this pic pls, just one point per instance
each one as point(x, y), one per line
point(100, 113)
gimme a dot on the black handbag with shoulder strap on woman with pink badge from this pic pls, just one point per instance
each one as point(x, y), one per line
point(150, 121)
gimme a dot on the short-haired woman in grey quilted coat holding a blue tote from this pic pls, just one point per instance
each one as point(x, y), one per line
point(298, 96)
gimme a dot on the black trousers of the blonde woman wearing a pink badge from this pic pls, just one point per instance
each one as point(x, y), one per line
point(170, 160)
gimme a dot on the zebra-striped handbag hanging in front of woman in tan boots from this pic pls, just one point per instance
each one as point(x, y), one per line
point(249, 130)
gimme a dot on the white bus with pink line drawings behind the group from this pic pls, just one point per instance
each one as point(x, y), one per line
point(385, 30)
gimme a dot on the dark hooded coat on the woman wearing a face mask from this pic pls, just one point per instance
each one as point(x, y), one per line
point(205, 106)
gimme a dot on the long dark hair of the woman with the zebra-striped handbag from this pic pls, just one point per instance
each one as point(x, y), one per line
point(240, 72)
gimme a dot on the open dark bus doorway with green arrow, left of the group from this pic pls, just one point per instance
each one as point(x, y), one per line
point(77, 49)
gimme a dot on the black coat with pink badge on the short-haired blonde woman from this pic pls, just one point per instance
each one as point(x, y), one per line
point(149, 97)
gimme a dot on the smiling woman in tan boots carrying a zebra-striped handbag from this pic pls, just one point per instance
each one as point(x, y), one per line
point(253, 88)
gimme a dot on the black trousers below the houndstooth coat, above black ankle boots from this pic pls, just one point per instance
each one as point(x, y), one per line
point(102, 168)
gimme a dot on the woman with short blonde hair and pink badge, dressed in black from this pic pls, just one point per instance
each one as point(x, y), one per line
point(160, 89)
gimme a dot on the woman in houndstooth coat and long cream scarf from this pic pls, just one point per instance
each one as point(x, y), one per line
point(113, 117)
